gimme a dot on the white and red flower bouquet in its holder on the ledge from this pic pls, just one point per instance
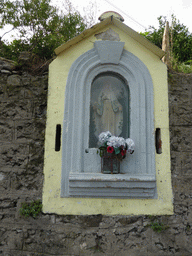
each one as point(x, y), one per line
point(113, 150)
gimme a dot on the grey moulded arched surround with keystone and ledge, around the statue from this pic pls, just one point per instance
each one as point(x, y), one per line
point(81, 170)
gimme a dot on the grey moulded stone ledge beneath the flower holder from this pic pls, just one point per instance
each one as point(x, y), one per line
point(112, 185)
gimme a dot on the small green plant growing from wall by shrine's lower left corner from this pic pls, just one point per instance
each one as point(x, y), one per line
point(31, 209)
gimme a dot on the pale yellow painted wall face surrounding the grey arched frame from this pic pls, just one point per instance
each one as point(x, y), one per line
point(58, 71)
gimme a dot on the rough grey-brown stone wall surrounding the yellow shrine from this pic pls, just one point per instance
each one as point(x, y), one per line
point(22, 126)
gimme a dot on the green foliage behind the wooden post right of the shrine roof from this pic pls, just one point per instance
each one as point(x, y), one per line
point(180, 38)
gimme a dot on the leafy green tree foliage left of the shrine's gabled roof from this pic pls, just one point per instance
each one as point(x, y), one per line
point(41, 27)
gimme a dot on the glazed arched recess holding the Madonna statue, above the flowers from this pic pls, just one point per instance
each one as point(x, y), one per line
point(109, 107)
